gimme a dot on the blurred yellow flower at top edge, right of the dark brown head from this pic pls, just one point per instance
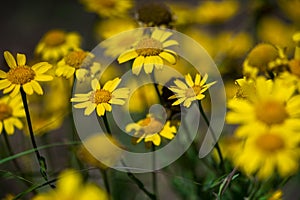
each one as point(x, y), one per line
point(216, 11)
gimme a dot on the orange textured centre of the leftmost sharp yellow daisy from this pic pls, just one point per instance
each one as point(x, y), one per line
point(20, 75)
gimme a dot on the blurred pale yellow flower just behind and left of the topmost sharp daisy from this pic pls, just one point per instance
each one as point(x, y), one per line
point(121, 43)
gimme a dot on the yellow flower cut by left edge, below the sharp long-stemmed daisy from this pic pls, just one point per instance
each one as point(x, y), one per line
point(11, 109)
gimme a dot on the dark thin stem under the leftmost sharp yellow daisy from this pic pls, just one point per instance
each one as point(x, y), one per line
point(41, 160)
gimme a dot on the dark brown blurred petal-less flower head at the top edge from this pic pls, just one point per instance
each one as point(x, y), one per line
point(154, 14)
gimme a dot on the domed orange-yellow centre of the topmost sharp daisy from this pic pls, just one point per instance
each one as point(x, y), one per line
point(149, 47)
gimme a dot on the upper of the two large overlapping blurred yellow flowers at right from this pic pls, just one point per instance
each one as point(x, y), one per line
point(272, 103)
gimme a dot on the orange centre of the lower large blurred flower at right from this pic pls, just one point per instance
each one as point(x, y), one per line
point(269, 142)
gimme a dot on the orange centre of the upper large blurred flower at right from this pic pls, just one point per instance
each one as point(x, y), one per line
point(271, 112)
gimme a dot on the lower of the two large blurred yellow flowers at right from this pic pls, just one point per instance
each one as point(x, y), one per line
point(267, 150)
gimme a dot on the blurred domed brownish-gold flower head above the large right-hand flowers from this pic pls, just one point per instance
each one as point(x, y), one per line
point(262, 59)
